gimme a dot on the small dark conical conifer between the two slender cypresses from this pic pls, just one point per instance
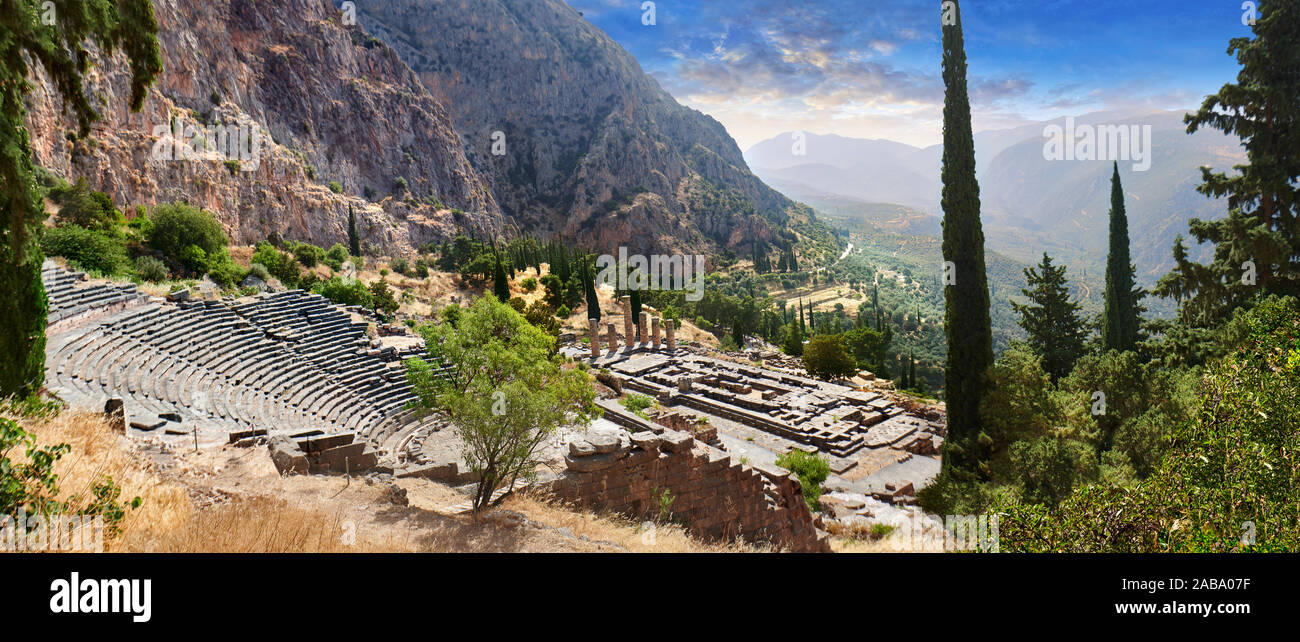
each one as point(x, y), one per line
point(1051, 319)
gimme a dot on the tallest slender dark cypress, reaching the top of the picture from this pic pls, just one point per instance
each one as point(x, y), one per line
point(970, 337)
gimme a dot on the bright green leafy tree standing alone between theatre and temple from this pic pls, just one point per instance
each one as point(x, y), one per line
point(508, 394)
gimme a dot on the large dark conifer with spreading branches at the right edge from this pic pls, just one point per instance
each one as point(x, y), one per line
point(1258, 245)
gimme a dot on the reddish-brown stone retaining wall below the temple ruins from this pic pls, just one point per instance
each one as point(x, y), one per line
point(714, 496)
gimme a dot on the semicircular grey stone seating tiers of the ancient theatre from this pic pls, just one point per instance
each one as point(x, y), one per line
point(287, 362)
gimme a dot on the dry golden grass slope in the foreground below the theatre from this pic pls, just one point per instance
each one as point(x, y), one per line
point(233, 501)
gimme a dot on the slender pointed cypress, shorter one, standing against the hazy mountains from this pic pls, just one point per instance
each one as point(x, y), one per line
point(1120, 316)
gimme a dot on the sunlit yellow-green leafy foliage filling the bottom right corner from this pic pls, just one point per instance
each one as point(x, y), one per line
point(1229, 481)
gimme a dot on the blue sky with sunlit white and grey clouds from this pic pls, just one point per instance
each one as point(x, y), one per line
point(872, 68)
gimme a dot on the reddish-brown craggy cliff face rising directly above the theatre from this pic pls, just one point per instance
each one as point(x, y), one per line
point(327, 102)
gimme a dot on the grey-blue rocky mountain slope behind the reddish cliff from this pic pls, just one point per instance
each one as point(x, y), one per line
point(587, 145)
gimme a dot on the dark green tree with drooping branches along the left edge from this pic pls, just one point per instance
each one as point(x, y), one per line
point(62, 51)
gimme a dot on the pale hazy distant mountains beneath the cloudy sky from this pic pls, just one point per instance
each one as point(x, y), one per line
point(1030, 205)
